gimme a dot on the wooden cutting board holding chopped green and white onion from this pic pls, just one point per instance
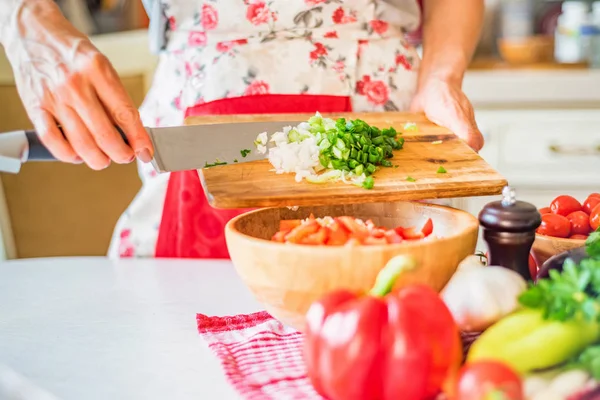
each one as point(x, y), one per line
point(254, 184)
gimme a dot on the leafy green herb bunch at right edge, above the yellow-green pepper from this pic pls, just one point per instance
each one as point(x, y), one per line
point(573, 292)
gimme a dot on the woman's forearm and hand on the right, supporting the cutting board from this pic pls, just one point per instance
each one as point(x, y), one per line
point(451, 32)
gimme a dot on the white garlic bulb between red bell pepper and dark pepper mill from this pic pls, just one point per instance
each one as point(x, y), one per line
point(478, 295)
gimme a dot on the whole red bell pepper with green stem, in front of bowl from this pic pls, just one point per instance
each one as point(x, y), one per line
point(404, 345)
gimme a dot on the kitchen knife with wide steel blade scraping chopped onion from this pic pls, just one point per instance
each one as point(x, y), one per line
point(176, 148)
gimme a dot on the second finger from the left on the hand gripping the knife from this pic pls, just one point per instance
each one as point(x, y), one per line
point(80, 138)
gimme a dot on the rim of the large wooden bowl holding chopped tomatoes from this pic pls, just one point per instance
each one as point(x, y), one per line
point(407, 244)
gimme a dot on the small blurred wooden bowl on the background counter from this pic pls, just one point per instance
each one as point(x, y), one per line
point(531, 50)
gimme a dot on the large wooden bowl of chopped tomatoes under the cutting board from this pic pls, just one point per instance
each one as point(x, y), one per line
point(287, 278)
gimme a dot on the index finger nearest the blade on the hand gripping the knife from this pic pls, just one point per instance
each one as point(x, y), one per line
point(121, 109)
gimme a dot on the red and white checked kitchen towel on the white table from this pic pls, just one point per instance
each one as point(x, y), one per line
point(262, 358)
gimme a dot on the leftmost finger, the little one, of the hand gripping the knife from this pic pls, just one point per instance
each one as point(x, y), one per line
point(52, 137)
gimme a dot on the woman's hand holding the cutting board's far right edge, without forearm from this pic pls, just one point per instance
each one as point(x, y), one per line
point(445, 104)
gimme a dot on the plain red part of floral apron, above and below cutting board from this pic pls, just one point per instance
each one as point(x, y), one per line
point(190, 227)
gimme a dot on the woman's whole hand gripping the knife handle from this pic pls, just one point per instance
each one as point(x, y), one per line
point(64, 80)
